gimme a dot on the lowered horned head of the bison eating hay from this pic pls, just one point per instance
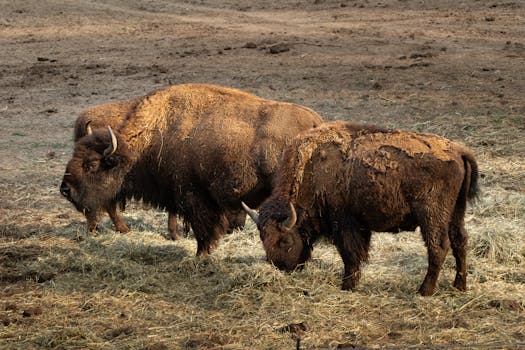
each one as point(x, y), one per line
point(285, 247)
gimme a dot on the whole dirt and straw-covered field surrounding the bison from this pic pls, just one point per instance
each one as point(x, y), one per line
point(455, 68)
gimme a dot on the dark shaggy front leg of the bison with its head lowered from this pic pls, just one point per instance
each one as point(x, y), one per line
point(353, 243)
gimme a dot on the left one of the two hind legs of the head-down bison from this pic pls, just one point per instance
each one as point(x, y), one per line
point(438, 244)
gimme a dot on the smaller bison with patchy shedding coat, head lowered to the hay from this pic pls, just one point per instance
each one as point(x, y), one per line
point(345, 180)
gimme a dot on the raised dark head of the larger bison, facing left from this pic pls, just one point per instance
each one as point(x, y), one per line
point(95, 173)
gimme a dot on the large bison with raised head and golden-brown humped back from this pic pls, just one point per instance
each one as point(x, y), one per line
point(196, 150)
